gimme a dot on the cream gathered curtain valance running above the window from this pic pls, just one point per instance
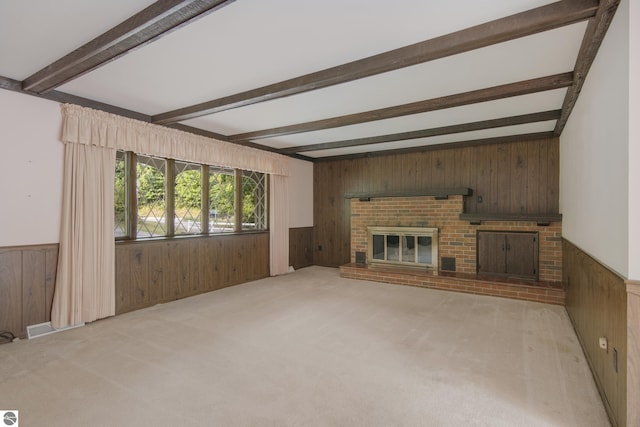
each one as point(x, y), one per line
point(92, 127)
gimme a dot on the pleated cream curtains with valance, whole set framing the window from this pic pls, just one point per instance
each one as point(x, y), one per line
point(85, 283)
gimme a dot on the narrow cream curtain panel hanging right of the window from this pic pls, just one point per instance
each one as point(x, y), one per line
point(279, 227)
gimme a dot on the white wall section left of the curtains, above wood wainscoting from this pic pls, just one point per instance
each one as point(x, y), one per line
point(31, 157)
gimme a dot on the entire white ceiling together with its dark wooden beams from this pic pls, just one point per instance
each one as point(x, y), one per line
point(484, 92)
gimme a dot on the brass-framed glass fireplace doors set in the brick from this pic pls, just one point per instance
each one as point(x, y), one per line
point(404, 235)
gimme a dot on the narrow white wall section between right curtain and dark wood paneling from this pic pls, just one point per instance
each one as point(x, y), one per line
point(301, 194)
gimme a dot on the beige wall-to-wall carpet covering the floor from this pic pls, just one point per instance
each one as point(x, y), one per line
point(309, 349)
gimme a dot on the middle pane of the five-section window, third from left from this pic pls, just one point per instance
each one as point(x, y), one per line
point(188, 198)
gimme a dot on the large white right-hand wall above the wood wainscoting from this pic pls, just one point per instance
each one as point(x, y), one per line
point(594, 150)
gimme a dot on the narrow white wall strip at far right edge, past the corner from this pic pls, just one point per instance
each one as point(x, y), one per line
point(634, 140)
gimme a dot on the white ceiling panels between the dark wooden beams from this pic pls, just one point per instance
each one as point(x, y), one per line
point(252, 43)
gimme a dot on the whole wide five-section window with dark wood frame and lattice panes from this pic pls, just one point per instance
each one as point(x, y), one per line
point(173, 198)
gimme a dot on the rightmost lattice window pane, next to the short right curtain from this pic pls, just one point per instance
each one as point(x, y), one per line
point(254, 201)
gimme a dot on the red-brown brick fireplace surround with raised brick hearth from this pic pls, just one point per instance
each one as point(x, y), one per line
point(457, 240)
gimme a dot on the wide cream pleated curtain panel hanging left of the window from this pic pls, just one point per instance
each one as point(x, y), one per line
point(85, 282)
